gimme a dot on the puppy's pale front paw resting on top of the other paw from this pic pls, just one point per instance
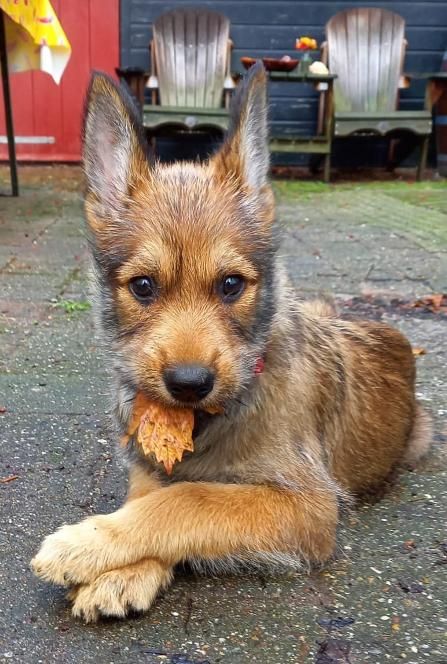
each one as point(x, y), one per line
point(76, 554)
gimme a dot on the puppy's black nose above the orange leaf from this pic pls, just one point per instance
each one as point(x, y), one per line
point(188, 382)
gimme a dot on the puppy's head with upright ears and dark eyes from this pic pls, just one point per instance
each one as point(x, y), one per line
point(183, 253)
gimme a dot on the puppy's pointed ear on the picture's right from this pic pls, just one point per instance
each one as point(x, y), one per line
point(245, 152)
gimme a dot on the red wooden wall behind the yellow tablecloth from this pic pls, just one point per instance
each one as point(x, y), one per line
point(42, 108)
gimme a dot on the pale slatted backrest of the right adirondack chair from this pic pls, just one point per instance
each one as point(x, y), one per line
point(366, 48)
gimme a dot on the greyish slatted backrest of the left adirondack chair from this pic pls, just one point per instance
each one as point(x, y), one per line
point(191, 48)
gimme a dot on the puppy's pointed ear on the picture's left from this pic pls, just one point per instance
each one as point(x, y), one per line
point(113, 143)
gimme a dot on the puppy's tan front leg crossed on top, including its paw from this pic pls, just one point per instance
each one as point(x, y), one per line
point(193, 520)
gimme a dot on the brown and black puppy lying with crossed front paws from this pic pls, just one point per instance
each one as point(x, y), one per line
point(195, 313)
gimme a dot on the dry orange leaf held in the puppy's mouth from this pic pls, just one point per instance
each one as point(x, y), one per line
point(164, 432)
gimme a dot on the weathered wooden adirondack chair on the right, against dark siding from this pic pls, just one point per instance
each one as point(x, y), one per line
point(365, 48)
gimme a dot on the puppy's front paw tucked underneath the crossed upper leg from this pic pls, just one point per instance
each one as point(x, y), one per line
point(119, 591)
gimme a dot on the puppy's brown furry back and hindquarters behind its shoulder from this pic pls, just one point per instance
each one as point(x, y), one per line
point(373, 422)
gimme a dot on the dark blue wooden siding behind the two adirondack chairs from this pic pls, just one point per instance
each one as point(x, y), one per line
point(269, 27)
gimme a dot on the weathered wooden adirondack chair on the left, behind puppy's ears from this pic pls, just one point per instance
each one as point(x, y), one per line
point(190, 79)
